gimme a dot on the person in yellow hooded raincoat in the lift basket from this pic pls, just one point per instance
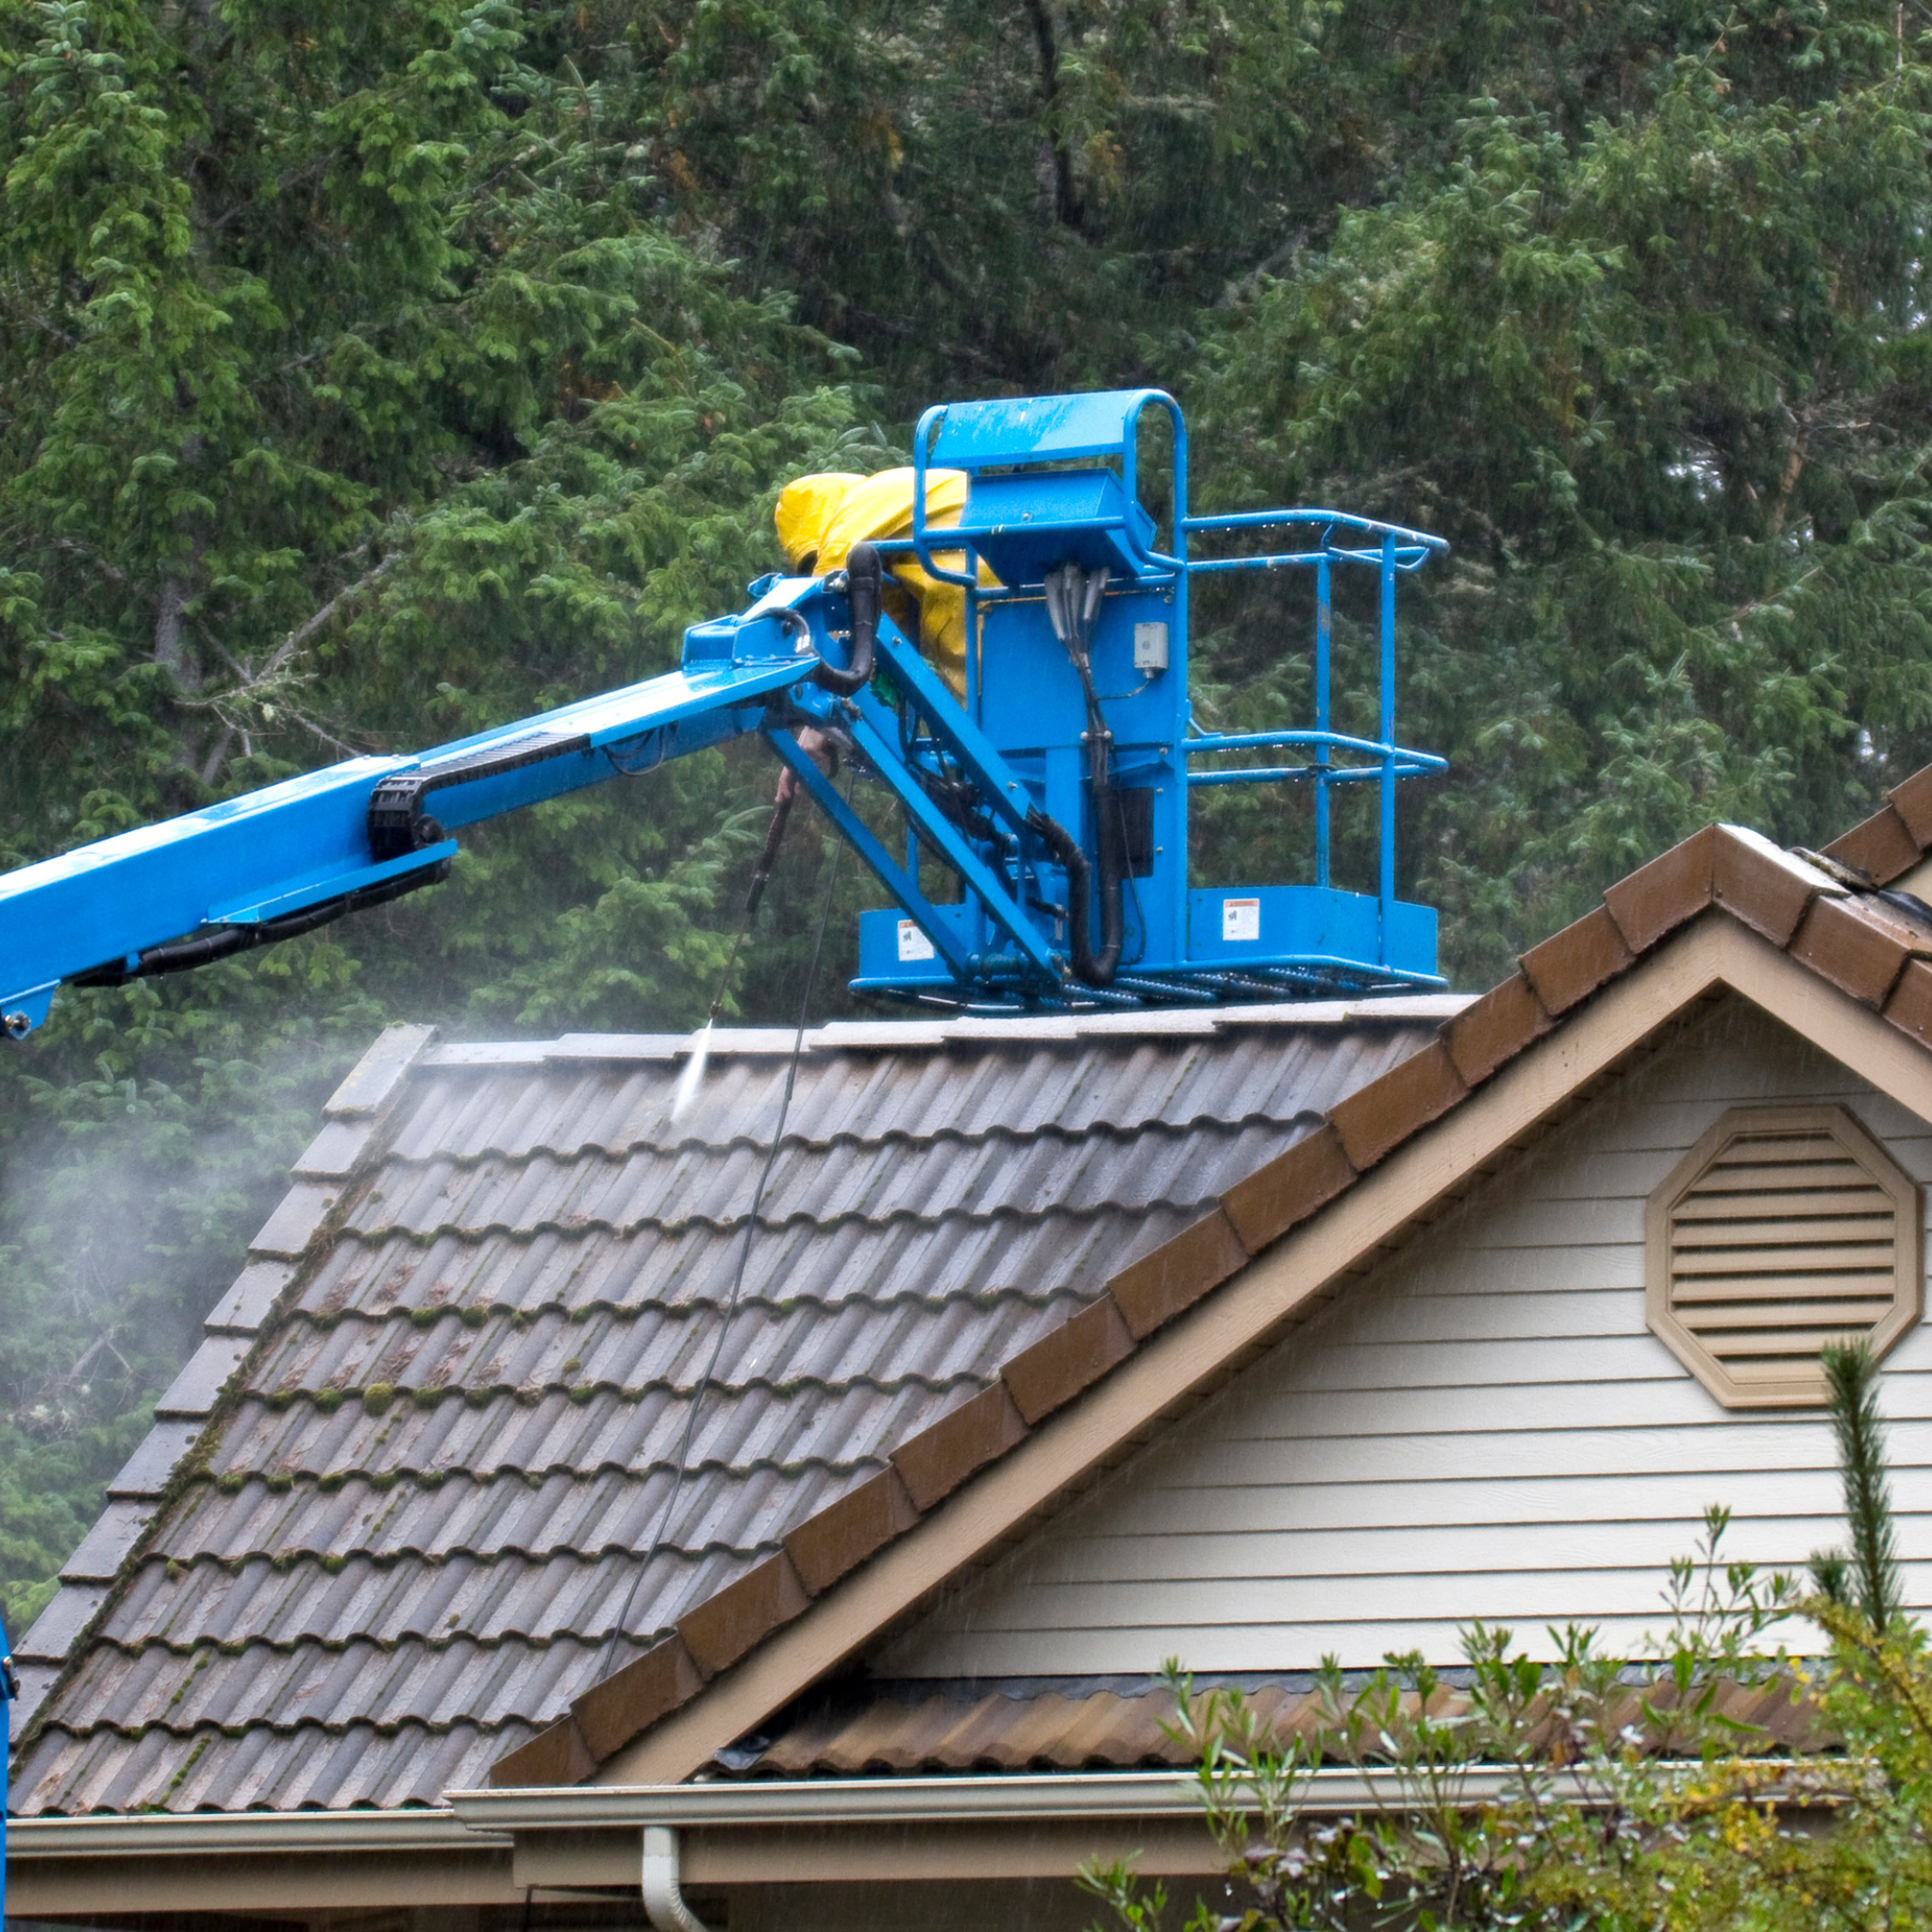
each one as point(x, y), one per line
point(822, 517)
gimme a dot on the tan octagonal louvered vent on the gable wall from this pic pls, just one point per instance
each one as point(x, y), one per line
point(1780, 1232)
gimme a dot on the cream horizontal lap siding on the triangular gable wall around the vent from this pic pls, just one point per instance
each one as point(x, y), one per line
point(1481, 1431)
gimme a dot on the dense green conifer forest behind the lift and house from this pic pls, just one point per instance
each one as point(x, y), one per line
point(380, 370)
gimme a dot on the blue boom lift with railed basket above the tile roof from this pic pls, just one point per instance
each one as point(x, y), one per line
point(1054, 789)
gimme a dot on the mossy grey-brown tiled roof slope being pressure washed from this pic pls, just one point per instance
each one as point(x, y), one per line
point(399, 1512)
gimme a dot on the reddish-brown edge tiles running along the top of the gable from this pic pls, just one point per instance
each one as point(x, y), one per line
point(1834, 915)
